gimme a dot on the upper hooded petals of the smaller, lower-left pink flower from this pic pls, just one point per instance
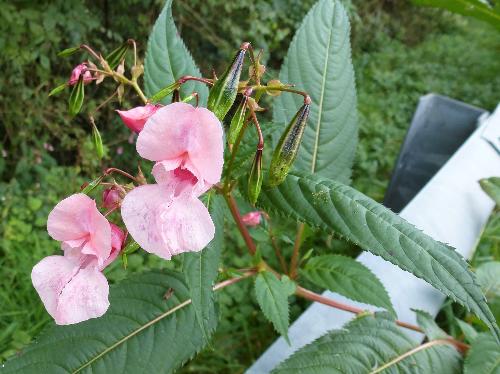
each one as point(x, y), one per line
point(78, 224)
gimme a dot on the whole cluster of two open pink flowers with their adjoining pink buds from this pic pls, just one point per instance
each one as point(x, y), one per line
point(165, 218)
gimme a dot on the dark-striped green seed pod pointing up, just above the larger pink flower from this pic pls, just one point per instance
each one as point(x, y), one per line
point(224, 91)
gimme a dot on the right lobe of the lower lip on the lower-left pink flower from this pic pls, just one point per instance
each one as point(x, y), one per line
point(84, 297)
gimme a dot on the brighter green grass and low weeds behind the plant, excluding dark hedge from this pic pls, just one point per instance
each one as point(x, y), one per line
point(462, 63)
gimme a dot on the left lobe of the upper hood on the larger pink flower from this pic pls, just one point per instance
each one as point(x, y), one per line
point(166, 134)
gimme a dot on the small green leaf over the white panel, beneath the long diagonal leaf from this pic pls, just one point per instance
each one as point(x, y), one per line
point(349, 278)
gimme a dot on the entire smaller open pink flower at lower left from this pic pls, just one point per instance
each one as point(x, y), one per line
point(72, 287)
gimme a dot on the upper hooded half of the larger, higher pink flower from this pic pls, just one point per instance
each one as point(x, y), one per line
point(183, 140)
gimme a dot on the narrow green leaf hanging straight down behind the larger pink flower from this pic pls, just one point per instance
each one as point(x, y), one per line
point(201, 268)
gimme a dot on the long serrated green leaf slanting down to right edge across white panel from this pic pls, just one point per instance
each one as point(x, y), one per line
point(337, 208)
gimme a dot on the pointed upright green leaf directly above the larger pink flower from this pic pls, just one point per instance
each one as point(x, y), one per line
point(168, 59)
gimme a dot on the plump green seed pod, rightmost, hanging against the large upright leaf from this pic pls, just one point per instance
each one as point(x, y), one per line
point(285, 153)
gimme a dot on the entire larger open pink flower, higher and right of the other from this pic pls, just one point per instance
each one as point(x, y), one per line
point(167, 218)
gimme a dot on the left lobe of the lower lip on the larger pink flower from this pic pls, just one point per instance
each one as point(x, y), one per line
point(141, 210)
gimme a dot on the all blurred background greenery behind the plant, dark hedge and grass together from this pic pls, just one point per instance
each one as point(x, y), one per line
point(400, 52)
